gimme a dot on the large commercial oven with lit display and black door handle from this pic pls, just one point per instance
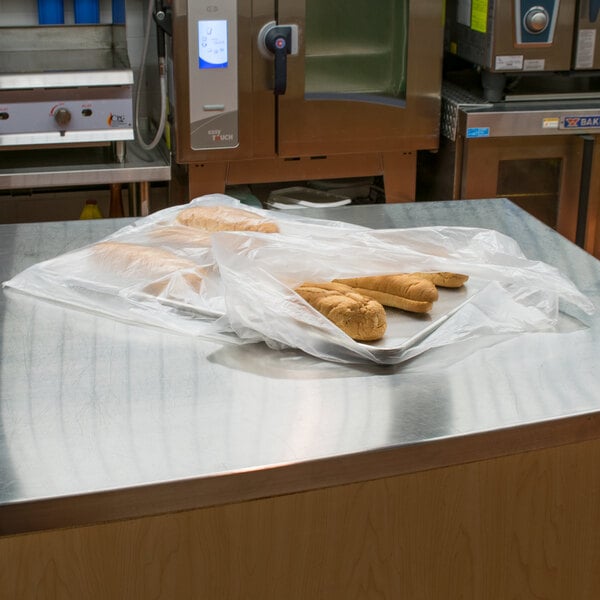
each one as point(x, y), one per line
point(281, 90)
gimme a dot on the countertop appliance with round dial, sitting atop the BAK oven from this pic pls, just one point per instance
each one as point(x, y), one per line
point(523, 36)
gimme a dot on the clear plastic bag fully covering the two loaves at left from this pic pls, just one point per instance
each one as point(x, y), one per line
point(167, 300)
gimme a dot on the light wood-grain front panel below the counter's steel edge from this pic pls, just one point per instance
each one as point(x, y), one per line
point(522, 526)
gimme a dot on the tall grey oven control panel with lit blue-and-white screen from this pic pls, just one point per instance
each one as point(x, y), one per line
point(213, 76)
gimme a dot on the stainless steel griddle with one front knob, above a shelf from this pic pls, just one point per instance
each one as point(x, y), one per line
point(65, 85)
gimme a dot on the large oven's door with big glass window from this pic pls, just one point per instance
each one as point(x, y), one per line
point(366, 77)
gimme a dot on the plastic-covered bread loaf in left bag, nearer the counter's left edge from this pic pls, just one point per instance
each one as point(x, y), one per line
point(140, 263)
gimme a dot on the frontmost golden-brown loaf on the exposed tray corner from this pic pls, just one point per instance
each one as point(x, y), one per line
point(360, 317)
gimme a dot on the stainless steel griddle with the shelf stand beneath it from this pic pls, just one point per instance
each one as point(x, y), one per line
point(66, 112)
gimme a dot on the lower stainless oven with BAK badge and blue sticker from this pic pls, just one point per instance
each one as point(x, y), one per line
point(542, 154)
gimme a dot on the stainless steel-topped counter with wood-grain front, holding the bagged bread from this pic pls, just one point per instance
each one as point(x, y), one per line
point(139, 464)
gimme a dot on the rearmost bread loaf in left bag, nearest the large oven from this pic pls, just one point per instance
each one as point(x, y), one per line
point(225, 218)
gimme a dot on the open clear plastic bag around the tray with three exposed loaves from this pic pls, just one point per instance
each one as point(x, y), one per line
point(511, 295)
